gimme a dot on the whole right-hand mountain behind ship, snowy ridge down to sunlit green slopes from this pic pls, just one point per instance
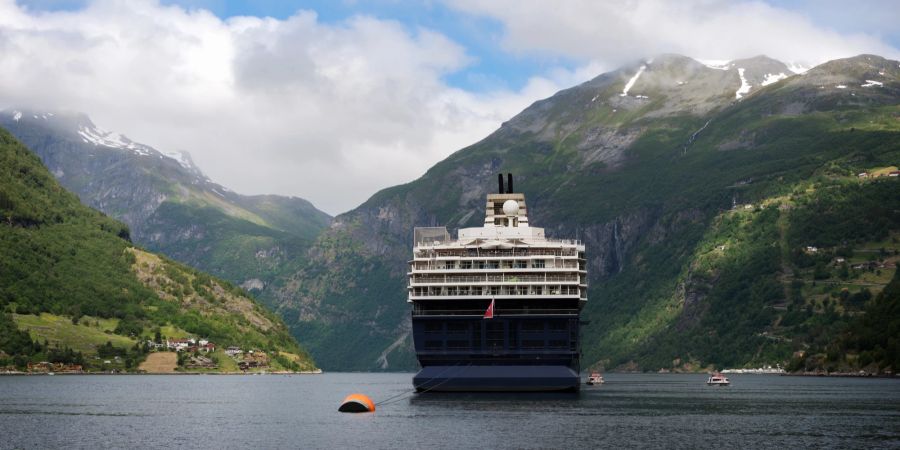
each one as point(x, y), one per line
point(646, 165)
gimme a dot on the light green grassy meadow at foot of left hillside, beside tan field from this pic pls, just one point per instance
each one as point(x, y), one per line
point(59, 330)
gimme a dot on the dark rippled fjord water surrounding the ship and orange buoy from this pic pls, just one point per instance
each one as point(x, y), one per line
point(300, 411)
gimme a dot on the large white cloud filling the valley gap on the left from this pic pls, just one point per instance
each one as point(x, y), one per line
point(329, 112)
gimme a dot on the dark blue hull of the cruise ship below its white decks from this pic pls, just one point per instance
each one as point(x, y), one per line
point(520, 353)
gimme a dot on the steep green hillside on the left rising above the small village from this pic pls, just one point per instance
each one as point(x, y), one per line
point(70, 276)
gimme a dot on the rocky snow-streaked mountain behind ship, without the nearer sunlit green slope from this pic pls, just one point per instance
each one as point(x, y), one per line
point(638, 163)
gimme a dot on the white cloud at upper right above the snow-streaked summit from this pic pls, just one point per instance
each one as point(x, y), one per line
point(620, 31)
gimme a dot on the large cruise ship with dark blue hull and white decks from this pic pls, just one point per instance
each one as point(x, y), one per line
point(497, 309)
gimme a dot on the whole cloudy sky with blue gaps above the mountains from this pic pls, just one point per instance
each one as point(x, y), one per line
point(333, 100)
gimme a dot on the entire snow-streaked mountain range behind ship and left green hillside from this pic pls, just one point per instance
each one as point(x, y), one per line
point(694, 186)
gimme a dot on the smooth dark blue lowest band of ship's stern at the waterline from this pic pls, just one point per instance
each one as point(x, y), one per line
point(530, 378)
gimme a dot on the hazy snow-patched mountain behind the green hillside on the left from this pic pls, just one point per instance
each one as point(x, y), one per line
point(168, 203)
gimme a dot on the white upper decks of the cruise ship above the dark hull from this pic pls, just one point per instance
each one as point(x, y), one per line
point(505, 258)
